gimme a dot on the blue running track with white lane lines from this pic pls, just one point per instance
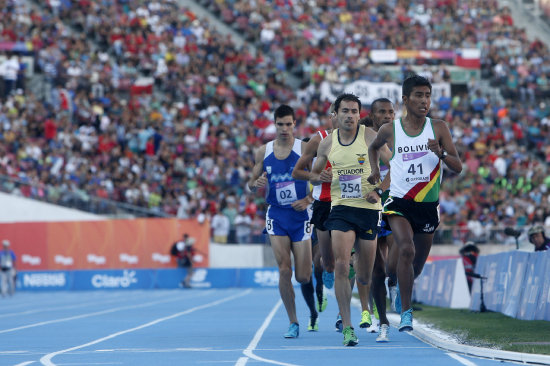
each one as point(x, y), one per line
point(190, 327)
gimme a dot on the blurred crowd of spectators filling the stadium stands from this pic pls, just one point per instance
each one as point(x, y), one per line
point(147, 104)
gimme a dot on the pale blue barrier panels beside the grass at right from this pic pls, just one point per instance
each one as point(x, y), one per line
point(517, 284)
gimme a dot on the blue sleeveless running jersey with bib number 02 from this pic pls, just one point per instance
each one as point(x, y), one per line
point(282, 189)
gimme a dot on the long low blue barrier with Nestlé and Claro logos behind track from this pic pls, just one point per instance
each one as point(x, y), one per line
point(145, 279)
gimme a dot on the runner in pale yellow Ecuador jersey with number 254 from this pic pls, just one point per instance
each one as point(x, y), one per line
point(355, 208)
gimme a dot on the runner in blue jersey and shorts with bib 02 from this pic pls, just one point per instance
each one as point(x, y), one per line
point(289, 212)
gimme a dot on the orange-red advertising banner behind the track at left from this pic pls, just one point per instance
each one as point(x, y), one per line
point(106, 244)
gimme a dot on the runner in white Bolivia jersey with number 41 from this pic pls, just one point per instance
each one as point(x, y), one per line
point(419, 146)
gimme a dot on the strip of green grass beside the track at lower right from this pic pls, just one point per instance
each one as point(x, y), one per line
point(489, 329)
